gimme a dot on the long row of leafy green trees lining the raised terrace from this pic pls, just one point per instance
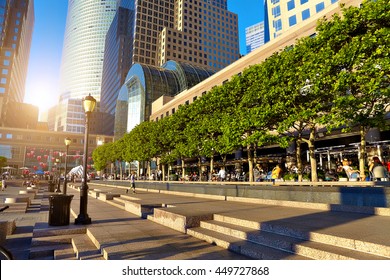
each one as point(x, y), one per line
point(339, 78)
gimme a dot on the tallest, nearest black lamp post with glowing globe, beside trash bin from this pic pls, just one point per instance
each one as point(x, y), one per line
point(89, 104)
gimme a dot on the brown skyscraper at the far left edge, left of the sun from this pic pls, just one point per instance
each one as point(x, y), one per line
point(16, 26)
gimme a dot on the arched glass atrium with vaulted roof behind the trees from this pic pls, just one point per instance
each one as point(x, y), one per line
point(145, 84)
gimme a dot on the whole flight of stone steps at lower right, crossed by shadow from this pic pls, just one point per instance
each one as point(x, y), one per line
point(273, 241)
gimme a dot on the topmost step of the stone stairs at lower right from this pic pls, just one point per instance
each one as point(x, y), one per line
point(372, 250)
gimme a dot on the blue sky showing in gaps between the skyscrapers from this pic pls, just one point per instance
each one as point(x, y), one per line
point(45, 57)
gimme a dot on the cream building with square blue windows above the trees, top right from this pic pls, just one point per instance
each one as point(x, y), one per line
point(282, 15)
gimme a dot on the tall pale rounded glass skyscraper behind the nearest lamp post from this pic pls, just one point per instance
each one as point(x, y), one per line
point(87, 24)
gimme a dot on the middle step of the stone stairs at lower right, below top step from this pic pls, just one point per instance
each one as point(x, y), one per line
point(310, 249)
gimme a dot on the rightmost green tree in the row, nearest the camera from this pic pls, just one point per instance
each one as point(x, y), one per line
point(360, 41)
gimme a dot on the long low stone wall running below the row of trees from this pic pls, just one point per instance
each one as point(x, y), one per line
point(370, 194)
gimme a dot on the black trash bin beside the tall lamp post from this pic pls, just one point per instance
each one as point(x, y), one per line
point(59, 209)
